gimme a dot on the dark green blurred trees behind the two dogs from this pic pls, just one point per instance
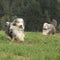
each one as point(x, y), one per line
point(34, 12)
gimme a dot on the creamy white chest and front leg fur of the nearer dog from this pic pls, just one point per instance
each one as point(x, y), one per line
point(17, 33)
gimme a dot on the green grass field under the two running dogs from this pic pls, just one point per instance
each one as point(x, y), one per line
point(35, 47)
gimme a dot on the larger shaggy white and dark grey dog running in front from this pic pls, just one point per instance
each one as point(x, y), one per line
point(16, 29)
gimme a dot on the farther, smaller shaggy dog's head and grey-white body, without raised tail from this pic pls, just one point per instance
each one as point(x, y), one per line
point(48, 29)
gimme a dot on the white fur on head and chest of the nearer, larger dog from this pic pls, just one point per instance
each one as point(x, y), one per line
point(18, 33)
